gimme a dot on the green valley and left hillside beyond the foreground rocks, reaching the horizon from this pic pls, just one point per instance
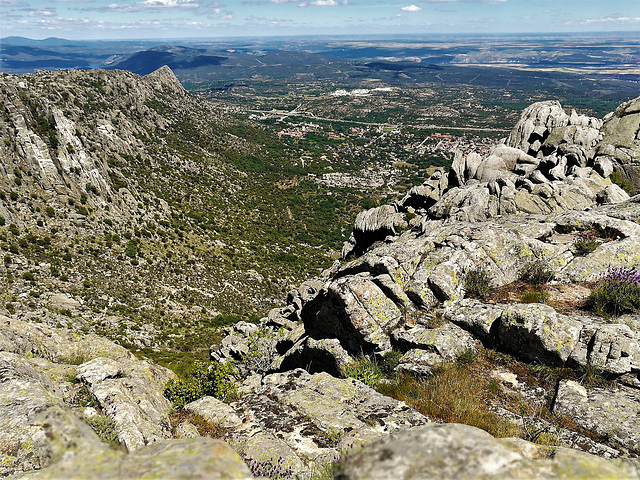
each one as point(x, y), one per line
point(246, 185)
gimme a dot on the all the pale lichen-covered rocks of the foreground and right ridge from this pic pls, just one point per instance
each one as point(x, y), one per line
point(400, 286)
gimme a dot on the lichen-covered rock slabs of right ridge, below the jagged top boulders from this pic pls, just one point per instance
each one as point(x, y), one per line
point(385, 298)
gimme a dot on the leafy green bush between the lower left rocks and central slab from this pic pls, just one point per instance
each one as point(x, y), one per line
point(203, 378)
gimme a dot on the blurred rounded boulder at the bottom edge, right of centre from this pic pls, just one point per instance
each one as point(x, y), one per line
point(460, 451)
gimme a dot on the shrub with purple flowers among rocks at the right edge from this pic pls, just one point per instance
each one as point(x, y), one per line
point(617, 293)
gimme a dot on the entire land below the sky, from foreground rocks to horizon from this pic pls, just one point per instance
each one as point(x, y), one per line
point(328, 243)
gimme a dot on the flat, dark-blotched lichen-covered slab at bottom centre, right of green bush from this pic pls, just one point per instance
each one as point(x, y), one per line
point(303, 420)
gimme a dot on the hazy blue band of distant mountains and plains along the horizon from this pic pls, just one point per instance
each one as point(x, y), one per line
point(617, 52)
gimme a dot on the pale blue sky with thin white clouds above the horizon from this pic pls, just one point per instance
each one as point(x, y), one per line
point(128, 19)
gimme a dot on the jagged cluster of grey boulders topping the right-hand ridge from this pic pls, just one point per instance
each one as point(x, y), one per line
point(551, 162)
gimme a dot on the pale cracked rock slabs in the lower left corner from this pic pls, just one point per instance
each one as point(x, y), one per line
point(47, 377)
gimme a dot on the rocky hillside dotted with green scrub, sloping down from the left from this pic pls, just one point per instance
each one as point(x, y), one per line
point(133, 209)
